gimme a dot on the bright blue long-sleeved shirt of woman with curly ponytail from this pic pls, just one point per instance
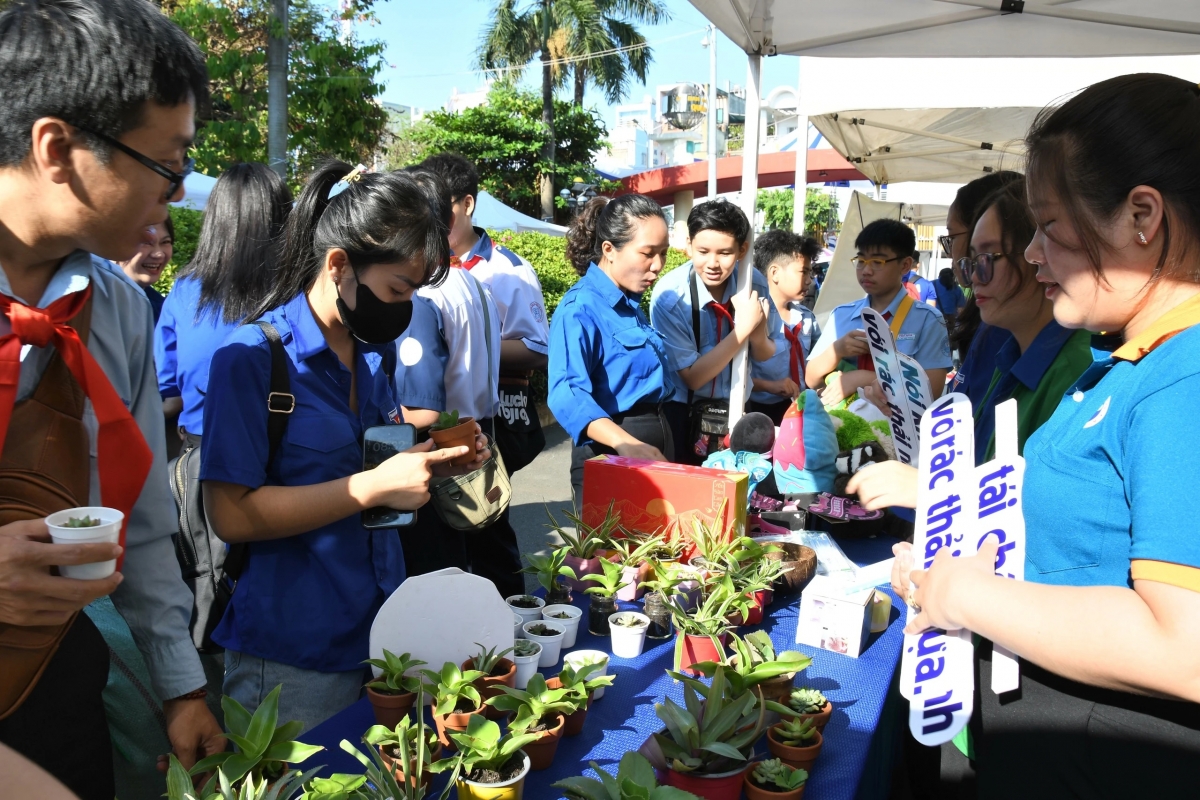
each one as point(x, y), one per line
point(604, 356)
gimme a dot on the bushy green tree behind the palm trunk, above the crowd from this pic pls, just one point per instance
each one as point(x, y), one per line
point(506, 140)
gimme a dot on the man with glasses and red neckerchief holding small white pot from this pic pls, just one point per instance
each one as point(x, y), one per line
point(97, 115)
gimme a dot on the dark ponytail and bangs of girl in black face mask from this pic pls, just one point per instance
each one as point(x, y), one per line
point(377, 219)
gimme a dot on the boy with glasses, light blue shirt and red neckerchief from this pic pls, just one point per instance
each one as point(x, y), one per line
point(841, 364)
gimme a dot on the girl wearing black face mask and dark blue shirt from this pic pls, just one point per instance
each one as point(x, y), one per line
point(356, 250)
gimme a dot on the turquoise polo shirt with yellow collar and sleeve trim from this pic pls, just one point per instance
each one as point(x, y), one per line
point(1111, 478)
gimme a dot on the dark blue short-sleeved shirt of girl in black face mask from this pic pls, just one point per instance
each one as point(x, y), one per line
point(308, 601)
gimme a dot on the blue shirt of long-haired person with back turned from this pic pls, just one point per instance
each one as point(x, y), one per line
point(183, 348)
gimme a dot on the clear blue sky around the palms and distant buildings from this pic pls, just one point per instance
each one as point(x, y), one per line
point(431, 51)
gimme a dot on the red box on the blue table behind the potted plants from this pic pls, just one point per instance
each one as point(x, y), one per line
point(655, 497)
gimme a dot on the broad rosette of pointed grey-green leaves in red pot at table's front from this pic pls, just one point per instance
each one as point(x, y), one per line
point(712, 733)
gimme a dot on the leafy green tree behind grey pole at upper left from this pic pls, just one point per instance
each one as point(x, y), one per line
point(332, 82)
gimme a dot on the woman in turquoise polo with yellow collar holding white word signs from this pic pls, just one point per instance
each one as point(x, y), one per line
point(1108, 618)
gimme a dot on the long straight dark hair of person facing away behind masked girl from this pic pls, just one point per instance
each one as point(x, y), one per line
point(238, 252)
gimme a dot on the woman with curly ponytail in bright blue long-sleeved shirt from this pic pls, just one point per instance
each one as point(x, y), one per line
point(608, 366)
